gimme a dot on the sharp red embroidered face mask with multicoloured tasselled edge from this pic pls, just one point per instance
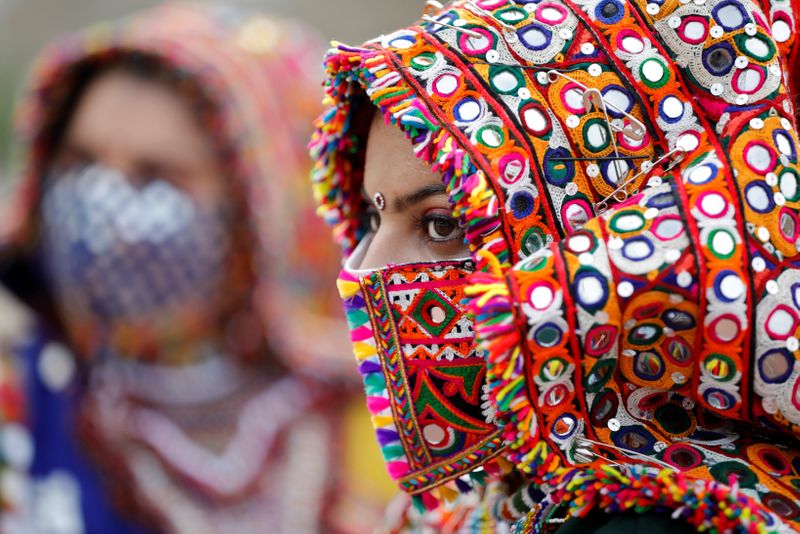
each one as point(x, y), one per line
point(423, 377)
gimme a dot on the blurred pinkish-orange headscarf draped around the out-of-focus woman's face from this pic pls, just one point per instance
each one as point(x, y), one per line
point(250, 80)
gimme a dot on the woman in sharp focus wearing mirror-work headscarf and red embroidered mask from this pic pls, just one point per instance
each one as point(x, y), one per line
point(636, 161)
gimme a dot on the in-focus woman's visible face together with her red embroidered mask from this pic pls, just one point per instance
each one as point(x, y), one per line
point(424, 378)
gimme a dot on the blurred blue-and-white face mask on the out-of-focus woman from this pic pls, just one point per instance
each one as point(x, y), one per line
point(132, 269)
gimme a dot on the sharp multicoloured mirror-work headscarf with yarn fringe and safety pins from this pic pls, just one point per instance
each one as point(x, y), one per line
point(637, 163)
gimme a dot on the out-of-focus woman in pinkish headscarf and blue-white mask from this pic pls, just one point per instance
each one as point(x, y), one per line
point(164, 241)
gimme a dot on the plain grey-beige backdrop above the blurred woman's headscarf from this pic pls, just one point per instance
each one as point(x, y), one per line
point(27, 25)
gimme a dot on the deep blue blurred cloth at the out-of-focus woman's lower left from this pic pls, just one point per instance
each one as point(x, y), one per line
point(53, 425)
